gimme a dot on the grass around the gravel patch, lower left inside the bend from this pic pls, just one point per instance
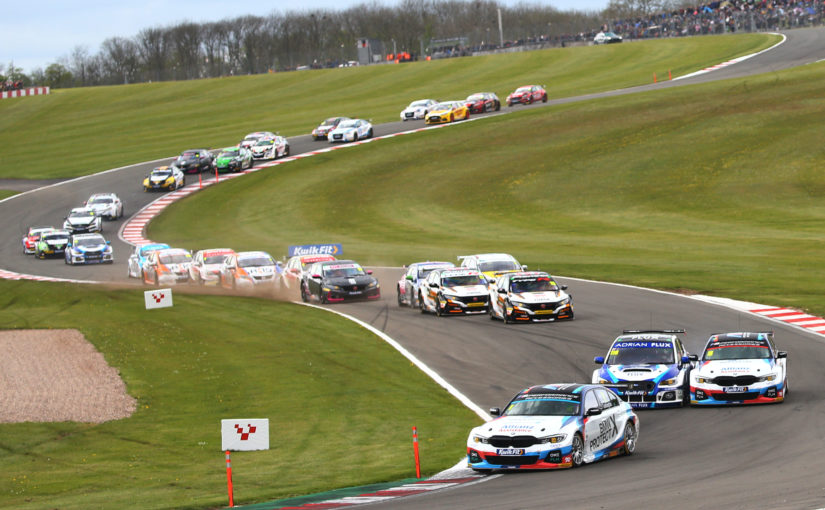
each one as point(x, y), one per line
point(339, 400)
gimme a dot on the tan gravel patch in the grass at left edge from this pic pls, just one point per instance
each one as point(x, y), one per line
point(56, 375)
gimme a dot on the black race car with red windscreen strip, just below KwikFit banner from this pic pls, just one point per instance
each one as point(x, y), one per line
point(338, 280)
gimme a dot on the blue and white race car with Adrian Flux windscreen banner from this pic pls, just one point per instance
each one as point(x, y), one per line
point(647, 368)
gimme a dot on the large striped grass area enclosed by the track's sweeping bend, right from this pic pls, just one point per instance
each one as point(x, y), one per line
point(714, 188)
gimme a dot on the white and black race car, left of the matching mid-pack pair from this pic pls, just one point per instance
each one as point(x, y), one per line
point(454, 291)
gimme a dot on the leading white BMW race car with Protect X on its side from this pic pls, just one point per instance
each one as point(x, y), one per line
point(554, 426)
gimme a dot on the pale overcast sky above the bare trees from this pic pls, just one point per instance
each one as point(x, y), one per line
point(37, 34)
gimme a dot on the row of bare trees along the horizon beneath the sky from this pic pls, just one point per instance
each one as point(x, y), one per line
point(314, 38)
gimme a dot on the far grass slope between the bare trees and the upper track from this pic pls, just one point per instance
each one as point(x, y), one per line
point(106, 127)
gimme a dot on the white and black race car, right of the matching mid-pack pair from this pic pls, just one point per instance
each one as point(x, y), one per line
point(529, 296)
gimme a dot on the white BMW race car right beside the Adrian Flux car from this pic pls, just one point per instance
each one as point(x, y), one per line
point(740, 368)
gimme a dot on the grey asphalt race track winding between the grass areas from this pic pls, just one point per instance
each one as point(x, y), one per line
point(735, 457)
